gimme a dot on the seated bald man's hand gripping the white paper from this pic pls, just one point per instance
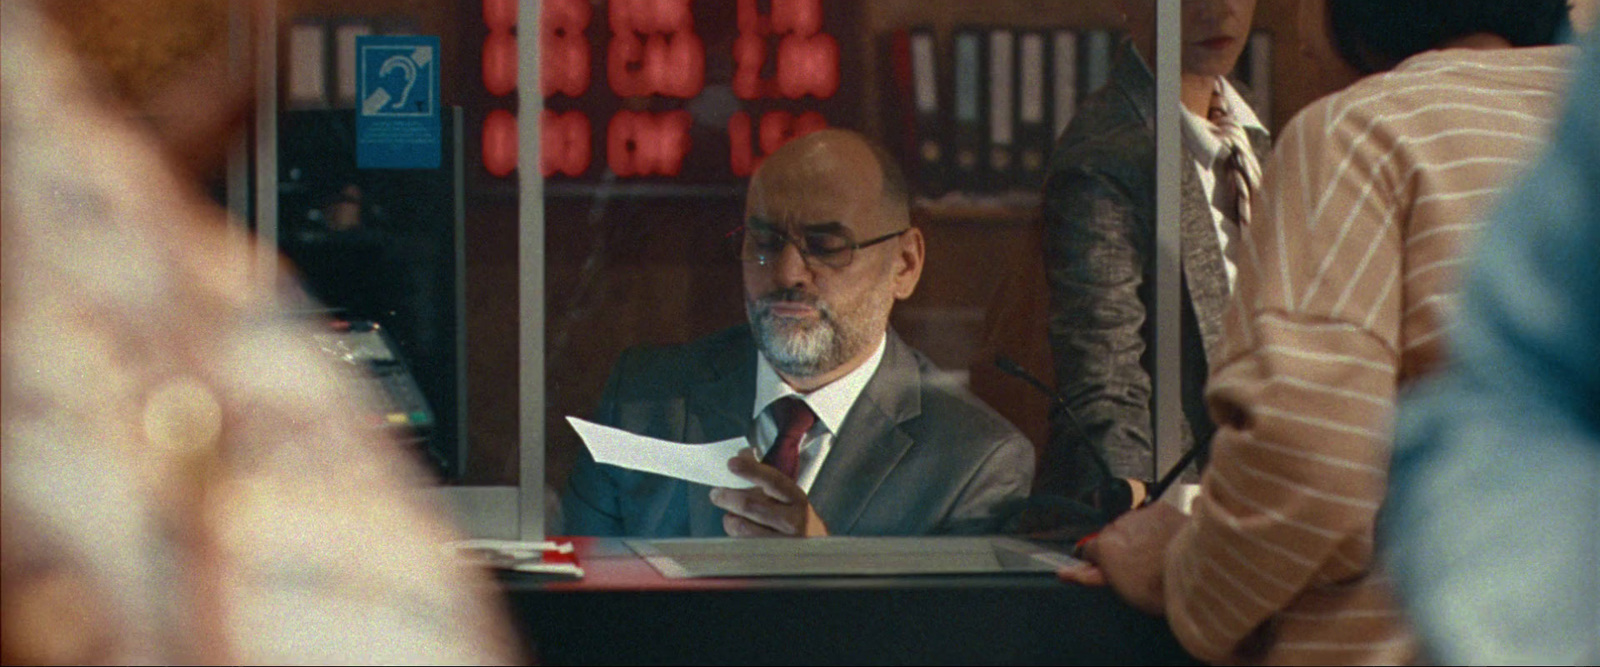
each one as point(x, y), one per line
point(774, 508)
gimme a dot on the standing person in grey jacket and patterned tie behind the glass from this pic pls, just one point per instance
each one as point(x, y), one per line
point(1105, 249)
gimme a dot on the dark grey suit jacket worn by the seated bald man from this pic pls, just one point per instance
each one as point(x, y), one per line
point(916, 455)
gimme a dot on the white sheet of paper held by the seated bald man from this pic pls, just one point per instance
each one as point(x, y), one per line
point(705, 465)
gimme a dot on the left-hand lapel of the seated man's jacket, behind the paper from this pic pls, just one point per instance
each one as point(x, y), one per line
point(718, 410)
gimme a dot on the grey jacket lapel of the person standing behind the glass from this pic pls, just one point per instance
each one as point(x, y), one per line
point(1202, 258)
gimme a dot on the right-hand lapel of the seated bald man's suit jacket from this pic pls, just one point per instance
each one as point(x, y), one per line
point(870, 444)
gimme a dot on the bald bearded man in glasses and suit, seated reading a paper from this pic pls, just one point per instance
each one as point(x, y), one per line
point(852, 431)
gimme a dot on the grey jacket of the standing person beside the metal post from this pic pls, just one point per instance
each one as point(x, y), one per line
point(1100, 218)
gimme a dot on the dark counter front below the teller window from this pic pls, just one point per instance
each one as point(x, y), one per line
point(623, 612)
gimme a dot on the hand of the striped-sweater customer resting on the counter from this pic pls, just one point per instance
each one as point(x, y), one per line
point(1132, 557)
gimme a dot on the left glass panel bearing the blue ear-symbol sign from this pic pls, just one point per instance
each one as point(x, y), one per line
point(406, 242)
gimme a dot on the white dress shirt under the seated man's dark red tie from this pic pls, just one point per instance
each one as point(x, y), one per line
point(831, 405)
